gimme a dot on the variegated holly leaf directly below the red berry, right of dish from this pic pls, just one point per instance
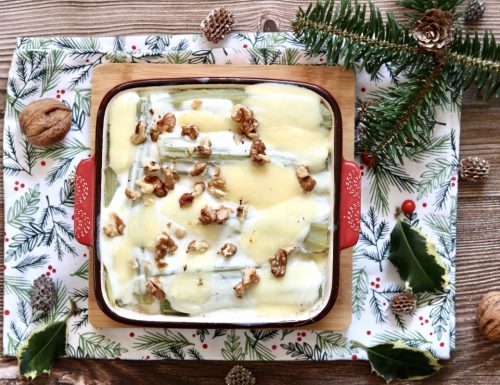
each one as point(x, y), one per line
point(417, 260)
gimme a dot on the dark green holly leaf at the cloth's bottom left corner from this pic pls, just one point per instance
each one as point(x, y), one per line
point(38, 352)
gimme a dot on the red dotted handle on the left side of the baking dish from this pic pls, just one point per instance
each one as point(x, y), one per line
point(84, 201)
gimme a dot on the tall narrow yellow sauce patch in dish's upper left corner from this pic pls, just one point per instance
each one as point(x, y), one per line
point(122, 121)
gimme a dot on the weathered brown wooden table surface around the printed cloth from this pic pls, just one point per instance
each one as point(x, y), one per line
point(476, 361)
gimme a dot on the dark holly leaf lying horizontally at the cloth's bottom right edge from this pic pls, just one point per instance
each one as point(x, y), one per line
point(397, 361)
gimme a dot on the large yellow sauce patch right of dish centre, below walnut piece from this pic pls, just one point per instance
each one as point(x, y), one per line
point(260, 186)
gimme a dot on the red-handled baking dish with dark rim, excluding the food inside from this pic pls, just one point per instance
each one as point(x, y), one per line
point(346, 208)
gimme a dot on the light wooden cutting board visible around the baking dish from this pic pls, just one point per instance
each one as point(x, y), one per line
point(340, 83)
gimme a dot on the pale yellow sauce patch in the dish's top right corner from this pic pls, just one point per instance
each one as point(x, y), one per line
point(283, 105)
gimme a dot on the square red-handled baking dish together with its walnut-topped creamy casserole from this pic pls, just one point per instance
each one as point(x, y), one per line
point(266, 253)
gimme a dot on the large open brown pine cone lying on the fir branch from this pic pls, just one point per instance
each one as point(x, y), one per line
point(435, 29)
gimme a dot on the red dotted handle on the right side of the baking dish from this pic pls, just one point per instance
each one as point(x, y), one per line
point(350, 204)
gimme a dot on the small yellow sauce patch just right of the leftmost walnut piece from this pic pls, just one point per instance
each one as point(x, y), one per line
point(143, 226)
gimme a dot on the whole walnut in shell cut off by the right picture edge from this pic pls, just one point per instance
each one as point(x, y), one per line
point(488, 315)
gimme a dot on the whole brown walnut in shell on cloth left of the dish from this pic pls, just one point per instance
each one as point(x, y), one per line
point(45, 122)
